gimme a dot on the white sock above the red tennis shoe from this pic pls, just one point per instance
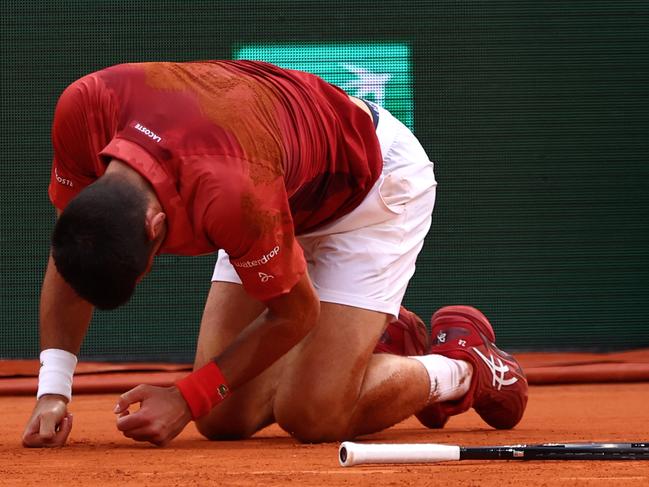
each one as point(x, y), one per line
point(449, 379)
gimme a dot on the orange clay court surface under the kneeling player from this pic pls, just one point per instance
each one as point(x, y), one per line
point(98, 455)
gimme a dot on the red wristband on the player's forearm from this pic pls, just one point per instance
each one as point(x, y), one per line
point(203, 389)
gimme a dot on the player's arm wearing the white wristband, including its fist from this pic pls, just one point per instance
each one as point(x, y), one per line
point(64, 319)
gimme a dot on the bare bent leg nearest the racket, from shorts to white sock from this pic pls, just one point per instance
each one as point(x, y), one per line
point(335, 388)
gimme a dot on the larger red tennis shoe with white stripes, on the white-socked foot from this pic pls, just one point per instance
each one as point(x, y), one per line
point(498, 390)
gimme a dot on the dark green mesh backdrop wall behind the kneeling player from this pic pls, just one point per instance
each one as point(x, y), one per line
point(535, 113)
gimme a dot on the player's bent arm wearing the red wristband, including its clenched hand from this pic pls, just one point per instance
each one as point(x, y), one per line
point(164, 412)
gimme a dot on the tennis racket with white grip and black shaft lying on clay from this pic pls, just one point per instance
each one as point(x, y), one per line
point(351, 453)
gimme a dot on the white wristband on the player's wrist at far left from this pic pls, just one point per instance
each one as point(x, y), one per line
point(55, 376)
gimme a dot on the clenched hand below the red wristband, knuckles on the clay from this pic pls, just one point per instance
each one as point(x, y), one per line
point(163, 414)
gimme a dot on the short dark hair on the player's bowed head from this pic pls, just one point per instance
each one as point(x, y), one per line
point(99, 244)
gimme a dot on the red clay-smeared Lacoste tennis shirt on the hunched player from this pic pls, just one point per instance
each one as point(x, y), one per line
point(242, 155)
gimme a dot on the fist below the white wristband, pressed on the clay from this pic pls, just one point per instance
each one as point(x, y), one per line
point(50, 423)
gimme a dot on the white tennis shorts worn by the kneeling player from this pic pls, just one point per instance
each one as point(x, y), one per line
point(366, 258)
